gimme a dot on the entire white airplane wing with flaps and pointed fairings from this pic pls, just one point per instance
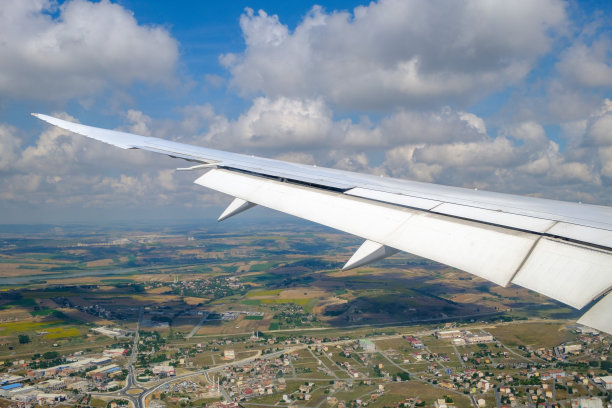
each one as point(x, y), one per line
point(560, 249)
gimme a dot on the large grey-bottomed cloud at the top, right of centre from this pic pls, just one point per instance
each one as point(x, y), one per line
point(395, 52)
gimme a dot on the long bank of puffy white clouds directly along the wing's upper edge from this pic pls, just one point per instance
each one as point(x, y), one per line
point(444, 146)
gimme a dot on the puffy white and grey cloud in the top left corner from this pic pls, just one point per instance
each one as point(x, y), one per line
point(52, 52)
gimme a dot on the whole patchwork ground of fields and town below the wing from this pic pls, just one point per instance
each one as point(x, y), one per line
point(263, 316)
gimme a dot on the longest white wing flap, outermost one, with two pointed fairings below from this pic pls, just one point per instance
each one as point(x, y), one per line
point(487, 251)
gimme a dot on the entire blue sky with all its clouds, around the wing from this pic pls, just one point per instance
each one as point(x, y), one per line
point(506, 96)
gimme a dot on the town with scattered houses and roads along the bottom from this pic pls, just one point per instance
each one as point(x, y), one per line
point(460, 366)
